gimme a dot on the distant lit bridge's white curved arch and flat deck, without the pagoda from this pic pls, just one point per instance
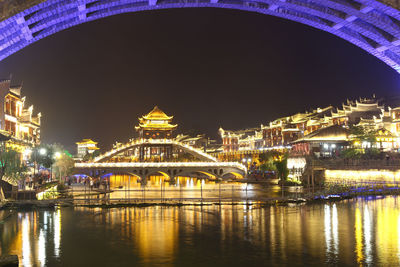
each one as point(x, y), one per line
point(205, 165)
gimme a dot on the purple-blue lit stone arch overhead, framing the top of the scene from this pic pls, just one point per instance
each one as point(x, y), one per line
point(373, 25)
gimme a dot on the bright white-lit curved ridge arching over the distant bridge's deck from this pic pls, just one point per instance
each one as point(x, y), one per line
point(153, 141)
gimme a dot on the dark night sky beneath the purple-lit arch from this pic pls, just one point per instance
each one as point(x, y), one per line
point(208, 67)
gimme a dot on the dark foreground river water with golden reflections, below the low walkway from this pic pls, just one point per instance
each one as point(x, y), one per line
point(350, 232)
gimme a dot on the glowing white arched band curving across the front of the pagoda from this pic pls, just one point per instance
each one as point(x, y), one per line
point(134, 143)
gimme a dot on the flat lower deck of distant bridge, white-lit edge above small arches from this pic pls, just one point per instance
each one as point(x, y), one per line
point(170, 169)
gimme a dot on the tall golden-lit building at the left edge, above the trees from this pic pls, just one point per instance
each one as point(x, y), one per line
point(21, 124)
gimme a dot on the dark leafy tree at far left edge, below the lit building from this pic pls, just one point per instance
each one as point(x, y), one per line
point(11, 166)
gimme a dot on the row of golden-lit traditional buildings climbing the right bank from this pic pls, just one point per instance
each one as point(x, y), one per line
point(303, 129)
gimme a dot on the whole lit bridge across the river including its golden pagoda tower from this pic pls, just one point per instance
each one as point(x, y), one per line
point(156, 152)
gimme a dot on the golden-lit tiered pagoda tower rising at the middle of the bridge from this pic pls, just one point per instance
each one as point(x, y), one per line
point(155, 125)
